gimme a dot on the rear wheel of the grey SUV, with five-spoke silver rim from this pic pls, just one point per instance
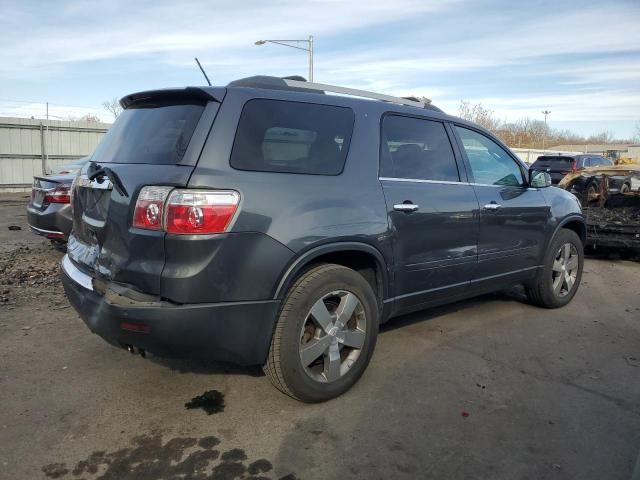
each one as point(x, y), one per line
point(325, 334)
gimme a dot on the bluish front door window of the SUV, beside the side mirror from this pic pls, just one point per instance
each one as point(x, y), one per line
point(490, 163)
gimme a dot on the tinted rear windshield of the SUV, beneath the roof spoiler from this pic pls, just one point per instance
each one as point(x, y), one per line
point(149, 134)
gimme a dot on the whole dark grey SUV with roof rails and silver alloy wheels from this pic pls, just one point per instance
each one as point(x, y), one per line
point(271, 223)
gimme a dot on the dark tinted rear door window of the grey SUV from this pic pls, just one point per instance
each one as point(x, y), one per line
point(414, 148)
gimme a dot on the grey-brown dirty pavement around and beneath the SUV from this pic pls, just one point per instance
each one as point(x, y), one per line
point(491, 388)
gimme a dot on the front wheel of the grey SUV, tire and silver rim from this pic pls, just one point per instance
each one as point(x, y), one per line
point(558, 281)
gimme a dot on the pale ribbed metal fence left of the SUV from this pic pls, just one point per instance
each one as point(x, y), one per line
point(28, 147)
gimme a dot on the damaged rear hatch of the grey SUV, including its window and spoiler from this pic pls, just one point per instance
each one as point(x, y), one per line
point(156, 140)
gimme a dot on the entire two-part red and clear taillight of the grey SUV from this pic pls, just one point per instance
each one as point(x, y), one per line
point(185, 212)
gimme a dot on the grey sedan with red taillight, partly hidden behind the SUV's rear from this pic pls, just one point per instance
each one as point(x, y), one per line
point(49, 209)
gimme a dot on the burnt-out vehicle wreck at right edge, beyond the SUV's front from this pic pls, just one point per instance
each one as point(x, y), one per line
point(611, 200)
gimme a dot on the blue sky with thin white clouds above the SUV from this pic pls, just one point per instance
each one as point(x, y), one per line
point(578, 59)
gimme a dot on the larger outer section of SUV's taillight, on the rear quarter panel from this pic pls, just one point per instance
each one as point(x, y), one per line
point(200, 211)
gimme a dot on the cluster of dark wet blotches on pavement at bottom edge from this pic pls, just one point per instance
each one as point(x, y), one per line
point(148, 458)
